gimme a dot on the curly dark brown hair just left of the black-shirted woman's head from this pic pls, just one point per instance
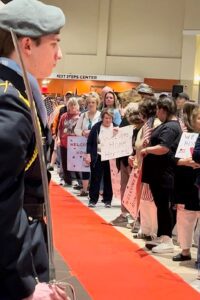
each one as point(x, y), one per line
point(147, 108)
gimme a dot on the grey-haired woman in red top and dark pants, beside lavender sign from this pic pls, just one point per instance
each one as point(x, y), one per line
point(66, 128)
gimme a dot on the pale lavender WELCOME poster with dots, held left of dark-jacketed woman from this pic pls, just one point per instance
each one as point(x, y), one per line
point(76, 152)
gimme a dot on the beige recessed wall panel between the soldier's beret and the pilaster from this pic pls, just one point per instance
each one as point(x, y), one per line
point(81, 30)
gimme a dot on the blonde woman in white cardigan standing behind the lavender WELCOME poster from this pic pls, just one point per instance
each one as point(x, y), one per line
point(83, 128)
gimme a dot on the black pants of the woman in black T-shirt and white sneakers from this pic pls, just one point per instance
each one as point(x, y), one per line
point(163, 199)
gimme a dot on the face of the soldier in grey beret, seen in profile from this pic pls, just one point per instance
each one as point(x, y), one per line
point(43, 58)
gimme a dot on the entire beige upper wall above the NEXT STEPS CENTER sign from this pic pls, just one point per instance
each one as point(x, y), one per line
point(128, 37)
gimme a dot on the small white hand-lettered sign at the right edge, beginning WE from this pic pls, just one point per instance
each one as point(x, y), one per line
point(186, 145)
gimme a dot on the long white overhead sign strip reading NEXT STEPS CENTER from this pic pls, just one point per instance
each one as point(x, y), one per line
point(96, 77)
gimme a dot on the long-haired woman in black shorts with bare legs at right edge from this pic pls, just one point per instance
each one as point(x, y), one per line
point(186, 191)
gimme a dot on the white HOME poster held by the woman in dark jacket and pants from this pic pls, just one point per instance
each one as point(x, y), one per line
point(118, 145)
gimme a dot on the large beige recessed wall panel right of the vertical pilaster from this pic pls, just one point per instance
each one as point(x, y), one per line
point(151, 28)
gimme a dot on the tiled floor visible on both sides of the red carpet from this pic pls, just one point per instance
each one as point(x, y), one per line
point(186, 270)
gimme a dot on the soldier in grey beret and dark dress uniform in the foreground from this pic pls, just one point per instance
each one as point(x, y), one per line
point(37, 27)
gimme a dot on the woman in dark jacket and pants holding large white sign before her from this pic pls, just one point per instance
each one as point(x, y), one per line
point(100, 169)
